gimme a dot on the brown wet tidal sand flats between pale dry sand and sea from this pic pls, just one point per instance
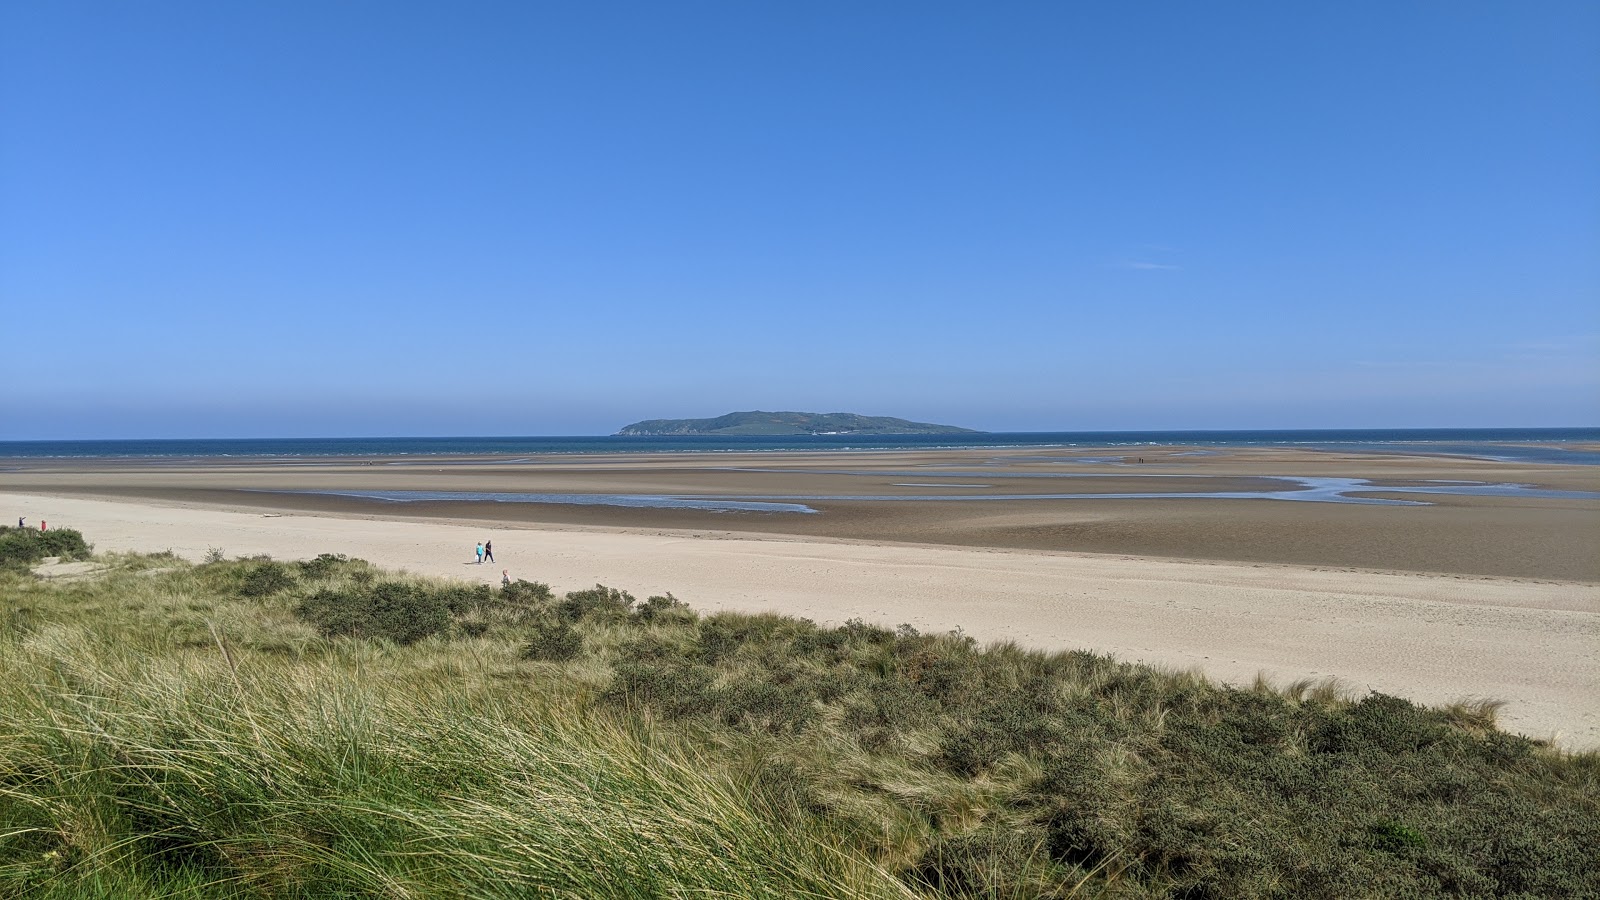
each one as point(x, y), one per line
point(1516, 537)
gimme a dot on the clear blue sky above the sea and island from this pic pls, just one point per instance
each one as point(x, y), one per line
point(366, 219)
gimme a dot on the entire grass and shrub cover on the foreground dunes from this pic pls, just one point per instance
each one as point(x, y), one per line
point(266, 729)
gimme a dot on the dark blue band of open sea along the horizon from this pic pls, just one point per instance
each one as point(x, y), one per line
point(1564, 446)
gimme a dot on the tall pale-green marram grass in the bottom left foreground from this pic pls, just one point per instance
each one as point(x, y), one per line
point(126, 773)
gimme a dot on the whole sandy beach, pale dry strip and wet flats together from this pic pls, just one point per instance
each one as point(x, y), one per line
point(1458, 598)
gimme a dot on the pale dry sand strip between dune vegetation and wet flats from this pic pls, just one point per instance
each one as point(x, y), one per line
point(1433, 638)
